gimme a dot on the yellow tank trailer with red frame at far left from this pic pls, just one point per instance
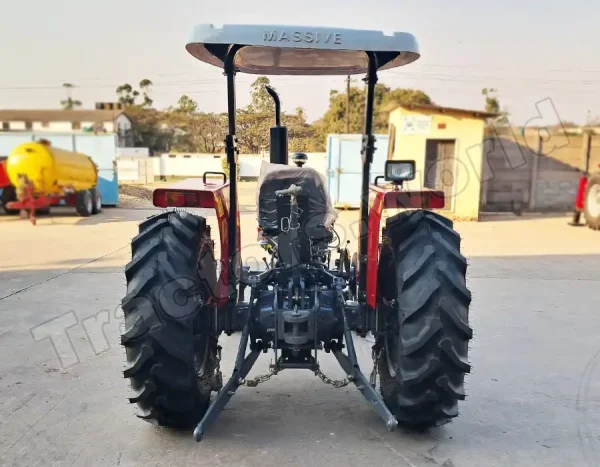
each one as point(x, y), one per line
point(43, 176)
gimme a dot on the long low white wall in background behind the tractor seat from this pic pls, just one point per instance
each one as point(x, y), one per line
point(146, 170)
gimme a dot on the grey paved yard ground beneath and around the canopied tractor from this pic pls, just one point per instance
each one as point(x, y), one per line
point(534, 394)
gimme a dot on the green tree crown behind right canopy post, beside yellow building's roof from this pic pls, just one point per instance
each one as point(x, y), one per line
point(386, 100)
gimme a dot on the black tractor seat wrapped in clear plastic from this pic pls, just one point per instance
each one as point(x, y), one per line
point(316, 212)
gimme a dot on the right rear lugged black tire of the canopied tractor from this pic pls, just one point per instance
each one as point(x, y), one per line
point(424, 356)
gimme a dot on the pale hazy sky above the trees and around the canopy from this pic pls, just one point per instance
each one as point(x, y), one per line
point(529, 50)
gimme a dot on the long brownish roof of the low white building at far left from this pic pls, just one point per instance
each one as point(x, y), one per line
point(58, 115)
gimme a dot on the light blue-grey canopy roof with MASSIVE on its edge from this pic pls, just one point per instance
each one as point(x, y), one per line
point(301, 50)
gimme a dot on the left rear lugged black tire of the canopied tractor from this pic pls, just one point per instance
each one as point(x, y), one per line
point(171, 353)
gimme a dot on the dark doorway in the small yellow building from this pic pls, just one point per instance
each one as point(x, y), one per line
point(439, 167)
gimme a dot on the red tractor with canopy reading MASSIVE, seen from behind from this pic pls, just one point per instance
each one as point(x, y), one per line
point(405, 286)
